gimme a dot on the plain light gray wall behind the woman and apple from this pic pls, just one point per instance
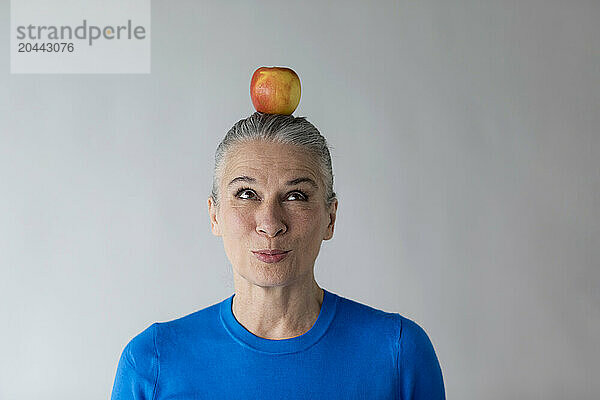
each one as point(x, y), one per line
point(466, 159)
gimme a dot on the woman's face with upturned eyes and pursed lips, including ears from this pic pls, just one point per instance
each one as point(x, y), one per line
point(272, 198)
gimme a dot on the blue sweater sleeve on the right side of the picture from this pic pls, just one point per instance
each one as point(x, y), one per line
point(419, 372)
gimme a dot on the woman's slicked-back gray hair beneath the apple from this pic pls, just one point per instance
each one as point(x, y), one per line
point(277, 128)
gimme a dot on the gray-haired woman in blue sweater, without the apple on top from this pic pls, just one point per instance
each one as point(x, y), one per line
point(280, 335)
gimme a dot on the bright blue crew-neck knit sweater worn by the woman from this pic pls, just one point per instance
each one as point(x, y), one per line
point(353, 351)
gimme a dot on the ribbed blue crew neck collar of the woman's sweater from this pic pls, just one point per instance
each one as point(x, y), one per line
point(282, 346)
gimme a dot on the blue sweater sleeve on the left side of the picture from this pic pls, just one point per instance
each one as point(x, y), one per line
point(137, 371)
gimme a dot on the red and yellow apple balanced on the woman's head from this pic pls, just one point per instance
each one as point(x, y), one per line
point(275, 90)
